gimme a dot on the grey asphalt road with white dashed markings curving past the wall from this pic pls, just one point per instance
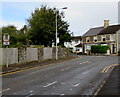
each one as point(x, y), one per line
point(81, 76)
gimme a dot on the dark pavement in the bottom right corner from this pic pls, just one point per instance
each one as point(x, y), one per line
point(112, 85)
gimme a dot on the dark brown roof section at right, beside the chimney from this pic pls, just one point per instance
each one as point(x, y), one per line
point(110, 30)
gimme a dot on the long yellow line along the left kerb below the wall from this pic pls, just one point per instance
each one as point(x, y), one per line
point(35, 67)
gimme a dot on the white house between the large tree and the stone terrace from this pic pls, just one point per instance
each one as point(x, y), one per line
point(73, 45)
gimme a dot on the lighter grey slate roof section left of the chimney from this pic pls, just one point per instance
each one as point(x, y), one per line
point(93, 31)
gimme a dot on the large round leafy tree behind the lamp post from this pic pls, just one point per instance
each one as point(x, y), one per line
point(42, 26)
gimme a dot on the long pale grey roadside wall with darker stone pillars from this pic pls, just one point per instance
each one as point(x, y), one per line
point(24, 55)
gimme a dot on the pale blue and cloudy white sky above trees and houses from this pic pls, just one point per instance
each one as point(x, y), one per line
point(81, 14)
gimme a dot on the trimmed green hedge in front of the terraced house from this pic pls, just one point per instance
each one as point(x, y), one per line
point(99, 49)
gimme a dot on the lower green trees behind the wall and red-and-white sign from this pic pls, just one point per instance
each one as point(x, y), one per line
point(17, 37)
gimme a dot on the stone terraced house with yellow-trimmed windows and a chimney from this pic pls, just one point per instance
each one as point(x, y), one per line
point(107, 35)
